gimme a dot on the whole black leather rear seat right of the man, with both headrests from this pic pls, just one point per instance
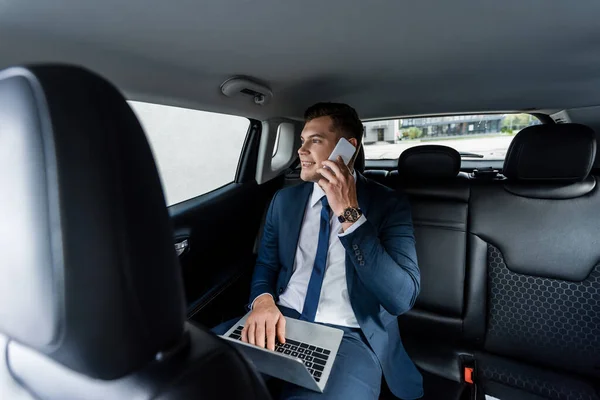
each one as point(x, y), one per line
point(509, 268)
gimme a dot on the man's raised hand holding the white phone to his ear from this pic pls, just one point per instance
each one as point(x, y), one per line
point(339, 185)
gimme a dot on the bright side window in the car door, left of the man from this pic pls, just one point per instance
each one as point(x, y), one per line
point(195, 151)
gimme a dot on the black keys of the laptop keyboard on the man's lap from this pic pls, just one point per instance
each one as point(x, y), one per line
point(314, 357)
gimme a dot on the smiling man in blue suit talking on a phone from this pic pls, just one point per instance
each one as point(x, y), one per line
point(338, 250)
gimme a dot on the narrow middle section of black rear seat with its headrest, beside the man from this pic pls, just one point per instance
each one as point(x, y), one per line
point(433, 331)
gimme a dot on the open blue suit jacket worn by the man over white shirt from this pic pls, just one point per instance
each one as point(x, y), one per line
point(381, 269)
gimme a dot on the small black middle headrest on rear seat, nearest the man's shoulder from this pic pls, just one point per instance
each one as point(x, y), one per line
point(429, 162)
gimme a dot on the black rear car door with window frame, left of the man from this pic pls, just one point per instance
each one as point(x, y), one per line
point(216, 234)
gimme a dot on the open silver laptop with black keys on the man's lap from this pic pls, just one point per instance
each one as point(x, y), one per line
point(305, 359)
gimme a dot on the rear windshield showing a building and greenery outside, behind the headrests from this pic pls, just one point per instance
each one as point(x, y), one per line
point(474, 136)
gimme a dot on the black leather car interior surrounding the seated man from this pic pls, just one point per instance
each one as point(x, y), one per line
point(116, 263)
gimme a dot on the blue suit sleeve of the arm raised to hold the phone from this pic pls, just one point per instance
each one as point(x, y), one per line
point(386, 261)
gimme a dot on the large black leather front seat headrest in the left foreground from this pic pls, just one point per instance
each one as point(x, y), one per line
point(88, 275)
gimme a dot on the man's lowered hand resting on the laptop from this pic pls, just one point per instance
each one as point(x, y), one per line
point(265, 321)
